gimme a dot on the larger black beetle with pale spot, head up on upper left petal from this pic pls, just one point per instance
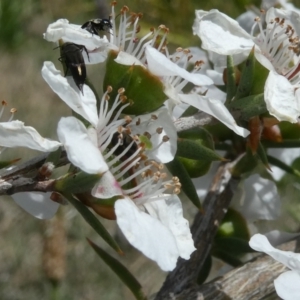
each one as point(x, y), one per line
point(71, 55)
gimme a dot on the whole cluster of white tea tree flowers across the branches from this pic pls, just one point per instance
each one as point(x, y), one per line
point(129, 152)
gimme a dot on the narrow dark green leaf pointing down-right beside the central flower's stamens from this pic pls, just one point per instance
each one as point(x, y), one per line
point(188, 187)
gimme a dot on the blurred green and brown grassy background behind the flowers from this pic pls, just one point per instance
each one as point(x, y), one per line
point(51, 259)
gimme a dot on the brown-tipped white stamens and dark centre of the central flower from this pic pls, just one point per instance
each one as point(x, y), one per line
point(127, 153)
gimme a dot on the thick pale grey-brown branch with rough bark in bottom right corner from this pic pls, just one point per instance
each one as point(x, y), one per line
point(253, 280)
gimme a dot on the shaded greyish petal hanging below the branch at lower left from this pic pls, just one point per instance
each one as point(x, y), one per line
point(37, 204)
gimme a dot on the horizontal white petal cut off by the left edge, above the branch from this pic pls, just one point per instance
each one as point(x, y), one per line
point(16, 134)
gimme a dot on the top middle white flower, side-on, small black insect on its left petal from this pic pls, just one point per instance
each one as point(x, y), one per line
point(145, 52)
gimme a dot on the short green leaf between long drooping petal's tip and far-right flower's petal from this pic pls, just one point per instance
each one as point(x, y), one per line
point(250, 106)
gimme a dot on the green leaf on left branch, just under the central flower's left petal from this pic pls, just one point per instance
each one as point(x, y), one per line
point(76, 183)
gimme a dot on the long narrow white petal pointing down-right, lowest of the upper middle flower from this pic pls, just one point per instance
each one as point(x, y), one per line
point(215, 108)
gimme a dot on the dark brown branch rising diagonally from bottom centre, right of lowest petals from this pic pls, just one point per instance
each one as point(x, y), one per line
point(203, 230)
